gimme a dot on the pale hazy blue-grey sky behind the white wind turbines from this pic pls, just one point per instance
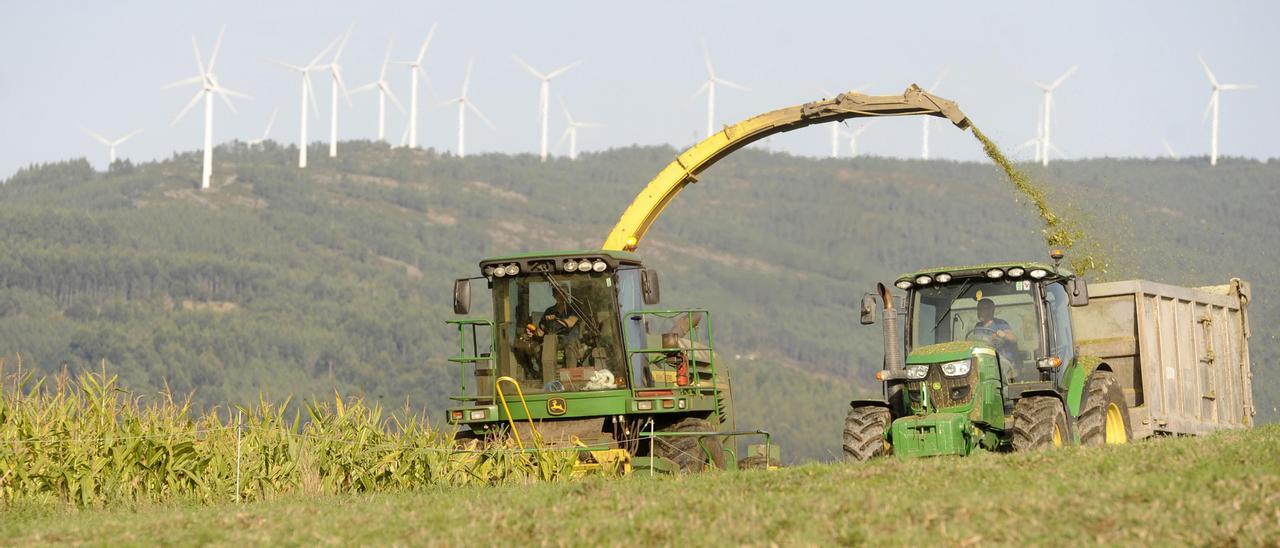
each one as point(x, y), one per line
point(102, 66)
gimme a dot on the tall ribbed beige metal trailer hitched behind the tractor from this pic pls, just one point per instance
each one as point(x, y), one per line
point(1182, 355)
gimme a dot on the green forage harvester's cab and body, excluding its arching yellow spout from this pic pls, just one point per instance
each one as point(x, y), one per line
point(573, 359)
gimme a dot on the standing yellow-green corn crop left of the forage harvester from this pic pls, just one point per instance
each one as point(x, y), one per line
point(85, 441)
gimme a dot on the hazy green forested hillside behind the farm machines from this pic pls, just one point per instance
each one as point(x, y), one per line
point(295, 282)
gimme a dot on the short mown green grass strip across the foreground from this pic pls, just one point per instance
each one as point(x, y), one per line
point(1218, 490)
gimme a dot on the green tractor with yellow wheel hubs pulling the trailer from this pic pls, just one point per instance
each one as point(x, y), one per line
point(990, 366)
